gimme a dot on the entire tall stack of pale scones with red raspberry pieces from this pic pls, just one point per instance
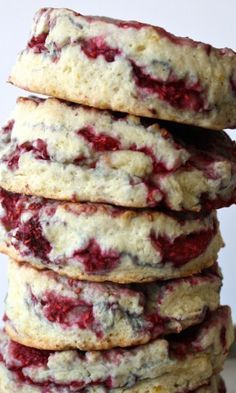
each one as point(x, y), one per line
point(109, 218)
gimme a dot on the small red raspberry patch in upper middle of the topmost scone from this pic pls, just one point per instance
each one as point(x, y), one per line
point(95, 47)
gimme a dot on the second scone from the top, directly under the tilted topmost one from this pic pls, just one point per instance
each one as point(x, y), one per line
point(53, 149)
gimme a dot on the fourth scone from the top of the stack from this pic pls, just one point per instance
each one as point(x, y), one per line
point(65, 313)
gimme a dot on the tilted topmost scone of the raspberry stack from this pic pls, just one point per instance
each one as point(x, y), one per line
point(129, 67)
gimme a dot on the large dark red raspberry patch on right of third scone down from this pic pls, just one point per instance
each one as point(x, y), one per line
point(183, 248)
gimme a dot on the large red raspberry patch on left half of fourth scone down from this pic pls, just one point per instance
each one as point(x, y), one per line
point(68, 311)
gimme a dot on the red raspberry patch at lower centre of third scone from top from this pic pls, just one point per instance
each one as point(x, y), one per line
point(96, 260)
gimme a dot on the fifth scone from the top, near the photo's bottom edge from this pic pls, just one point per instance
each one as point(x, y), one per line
point(186, 361)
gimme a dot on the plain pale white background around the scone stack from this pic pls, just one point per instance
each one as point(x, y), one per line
point(212, 21)
